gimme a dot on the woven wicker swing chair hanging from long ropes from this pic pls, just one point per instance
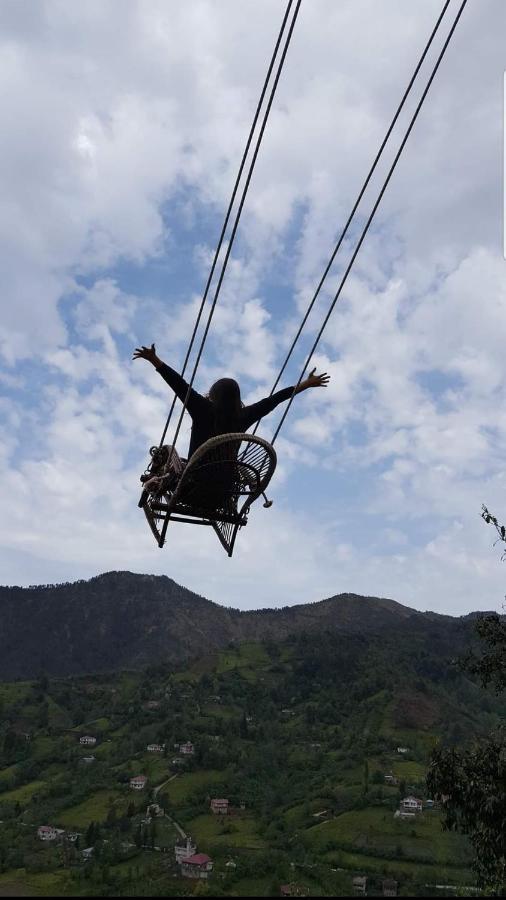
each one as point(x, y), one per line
point(217, 487)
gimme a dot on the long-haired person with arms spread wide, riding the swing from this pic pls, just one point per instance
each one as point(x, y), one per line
point(222, 410)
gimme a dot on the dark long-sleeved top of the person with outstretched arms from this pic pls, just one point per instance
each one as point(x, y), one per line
point(202, 412)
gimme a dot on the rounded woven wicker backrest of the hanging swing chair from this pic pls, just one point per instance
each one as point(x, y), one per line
point(225, 469)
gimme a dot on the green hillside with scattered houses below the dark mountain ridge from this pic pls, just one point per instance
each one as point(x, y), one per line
point(298, 735)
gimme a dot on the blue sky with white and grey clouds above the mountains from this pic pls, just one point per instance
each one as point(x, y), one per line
point(124, 123)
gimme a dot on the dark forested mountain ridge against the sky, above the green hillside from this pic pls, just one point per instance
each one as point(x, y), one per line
point(122, 620)
